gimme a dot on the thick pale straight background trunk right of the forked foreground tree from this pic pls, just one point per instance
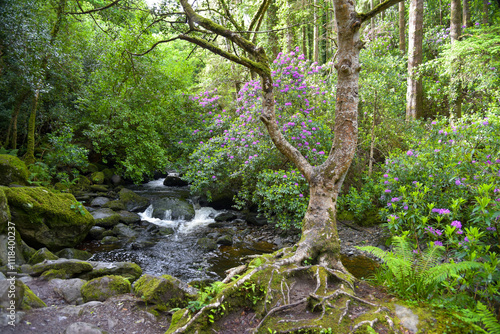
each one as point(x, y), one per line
point(414, 89)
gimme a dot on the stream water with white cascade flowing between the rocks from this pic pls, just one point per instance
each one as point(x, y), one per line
point(177, 254)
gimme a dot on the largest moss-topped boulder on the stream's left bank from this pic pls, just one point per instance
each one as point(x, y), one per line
point(47, 219)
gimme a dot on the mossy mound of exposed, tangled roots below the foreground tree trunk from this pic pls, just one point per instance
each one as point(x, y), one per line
point(316, 295)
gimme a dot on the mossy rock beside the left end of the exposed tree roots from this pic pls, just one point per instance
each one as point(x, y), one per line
point(166, 291)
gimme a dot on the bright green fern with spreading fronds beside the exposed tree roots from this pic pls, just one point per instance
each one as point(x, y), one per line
point(417, 275)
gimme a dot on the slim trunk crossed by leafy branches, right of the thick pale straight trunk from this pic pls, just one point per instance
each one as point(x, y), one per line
point(455, 32)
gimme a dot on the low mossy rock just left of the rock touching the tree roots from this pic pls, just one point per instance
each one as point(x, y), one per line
point(102, 288)
